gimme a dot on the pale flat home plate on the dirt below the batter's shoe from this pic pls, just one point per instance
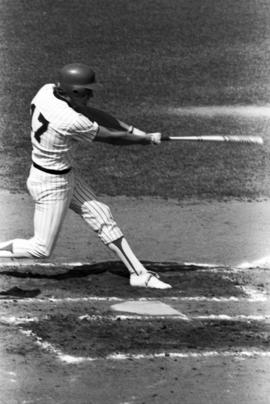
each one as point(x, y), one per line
point(153, 308)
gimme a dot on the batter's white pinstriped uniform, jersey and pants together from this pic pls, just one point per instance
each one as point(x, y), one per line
point(56, 128)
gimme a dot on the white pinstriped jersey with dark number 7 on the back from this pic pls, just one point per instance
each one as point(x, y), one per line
point(56, 129)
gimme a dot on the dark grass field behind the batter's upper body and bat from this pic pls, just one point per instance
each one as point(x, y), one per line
point(150, 56)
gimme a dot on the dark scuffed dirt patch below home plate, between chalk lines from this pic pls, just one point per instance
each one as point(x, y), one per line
point(103, 336)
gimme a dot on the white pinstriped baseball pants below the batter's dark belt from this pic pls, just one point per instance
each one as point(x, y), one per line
point(53, 196)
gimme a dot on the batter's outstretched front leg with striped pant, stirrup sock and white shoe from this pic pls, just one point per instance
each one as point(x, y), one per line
point(100, 219)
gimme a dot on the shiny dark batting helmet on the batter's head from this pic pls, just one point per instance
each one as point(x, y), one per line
point(76, 78)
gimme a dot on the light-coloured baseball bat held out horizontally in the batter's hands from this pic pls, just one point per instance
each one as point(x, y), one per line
point(219, 138)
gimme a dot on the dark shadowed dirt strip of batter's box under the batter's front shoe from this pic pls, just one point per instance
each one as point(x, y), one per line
point(111, 278)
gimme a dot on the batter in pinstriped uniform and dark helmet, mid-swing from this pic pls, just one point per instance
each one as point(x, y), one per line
point(60, 121)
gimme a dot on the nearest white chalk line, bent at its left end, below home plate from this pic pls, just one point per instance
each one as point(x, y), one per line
point(50, 348)
